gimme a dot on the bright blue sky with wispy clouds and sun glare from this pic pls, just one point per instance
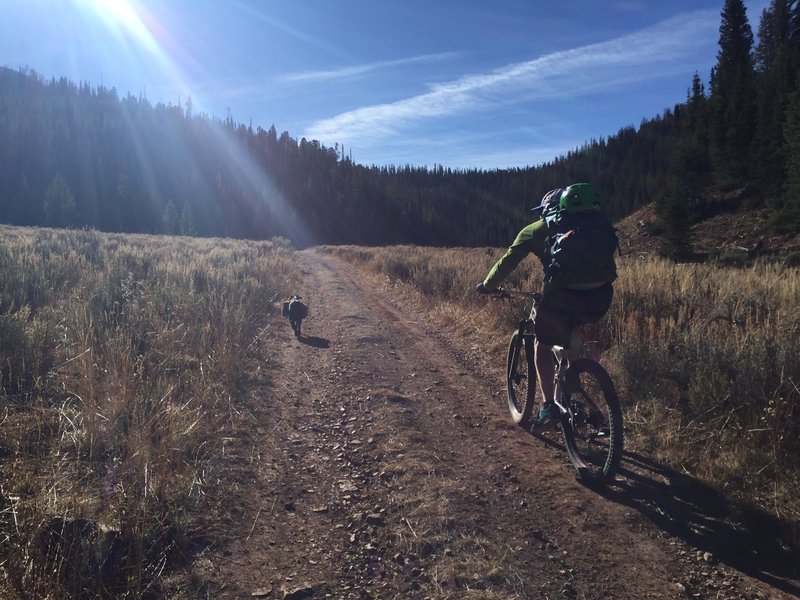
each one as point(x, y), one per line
point(459, 83)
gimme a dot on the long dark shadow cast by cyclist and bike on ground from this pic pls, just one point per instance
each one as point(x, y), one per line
point(736, 534)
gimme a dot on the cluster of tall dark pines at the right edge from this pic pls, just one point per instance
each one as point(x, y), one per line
point(742, 132)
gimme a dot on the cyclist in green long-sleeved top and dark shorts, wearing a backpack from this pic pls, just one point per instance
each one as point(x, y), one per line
point(571, 297)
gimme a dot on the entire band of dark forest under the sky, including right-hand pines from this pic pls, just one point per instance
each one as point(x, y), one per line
point(78, 155)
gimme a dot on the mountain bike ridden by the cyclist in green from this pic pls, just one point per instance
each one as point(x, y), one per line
point(591, 417)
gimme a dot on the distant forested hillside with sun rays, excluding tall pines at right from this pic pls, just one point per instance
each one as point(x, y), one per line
point(77, 155)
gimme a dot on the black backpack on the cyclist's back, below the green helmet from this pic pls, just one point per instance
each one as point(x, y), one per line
point(580, 242)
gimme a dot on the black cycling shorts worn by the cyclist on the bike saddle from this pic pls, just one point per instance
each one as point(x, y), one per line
point(562, 310)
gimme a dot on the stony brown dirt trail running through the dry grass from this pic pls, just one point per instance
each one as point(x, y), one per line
point(383, 464)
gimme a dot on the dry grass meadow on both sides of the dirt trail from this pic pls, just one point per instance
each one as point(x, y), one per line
point(120, 355)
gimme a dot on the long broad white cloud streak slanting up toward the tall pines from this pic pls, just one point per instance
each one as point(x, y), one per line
point(640, 56)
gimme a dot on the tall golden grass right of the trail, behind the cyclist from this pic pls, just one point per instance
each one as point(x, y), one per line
point(705, 358)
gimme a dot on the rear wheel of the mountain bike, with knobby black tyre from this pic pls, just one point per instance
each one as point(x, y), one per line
point(592, 427)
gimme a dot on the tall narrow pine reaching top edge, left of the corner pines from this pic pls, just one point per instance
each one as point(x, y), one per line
point(732, 121)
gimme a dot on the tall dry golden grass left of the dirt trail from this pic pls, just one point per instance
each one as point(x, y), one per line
point(120, 357)
